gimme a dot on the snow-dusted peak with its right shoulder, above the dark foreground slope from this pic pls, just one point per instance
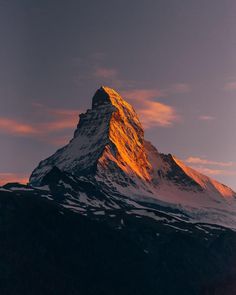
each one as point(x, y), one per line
point(108, 151)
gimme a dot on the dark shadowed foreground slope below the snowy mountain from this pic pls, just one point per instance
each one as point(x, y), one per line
point(48, 249)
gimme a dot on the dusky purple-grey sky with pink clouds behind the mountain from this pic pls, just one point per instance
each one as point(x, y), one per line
point(174, 61)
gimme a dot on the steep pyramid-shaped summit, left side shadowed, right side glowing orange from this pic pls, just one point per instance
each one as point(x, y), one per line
point(108, 143)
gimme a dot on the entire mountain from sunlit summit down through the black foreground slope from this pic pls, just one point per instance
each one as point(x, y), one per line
point(109, 214)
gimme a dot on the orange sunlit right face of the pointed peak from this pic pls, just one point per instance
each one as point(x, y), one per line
point(125, 133)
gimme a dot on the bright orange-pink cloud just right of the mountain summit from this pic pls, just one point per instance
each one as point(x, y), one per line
point(152, 113)
